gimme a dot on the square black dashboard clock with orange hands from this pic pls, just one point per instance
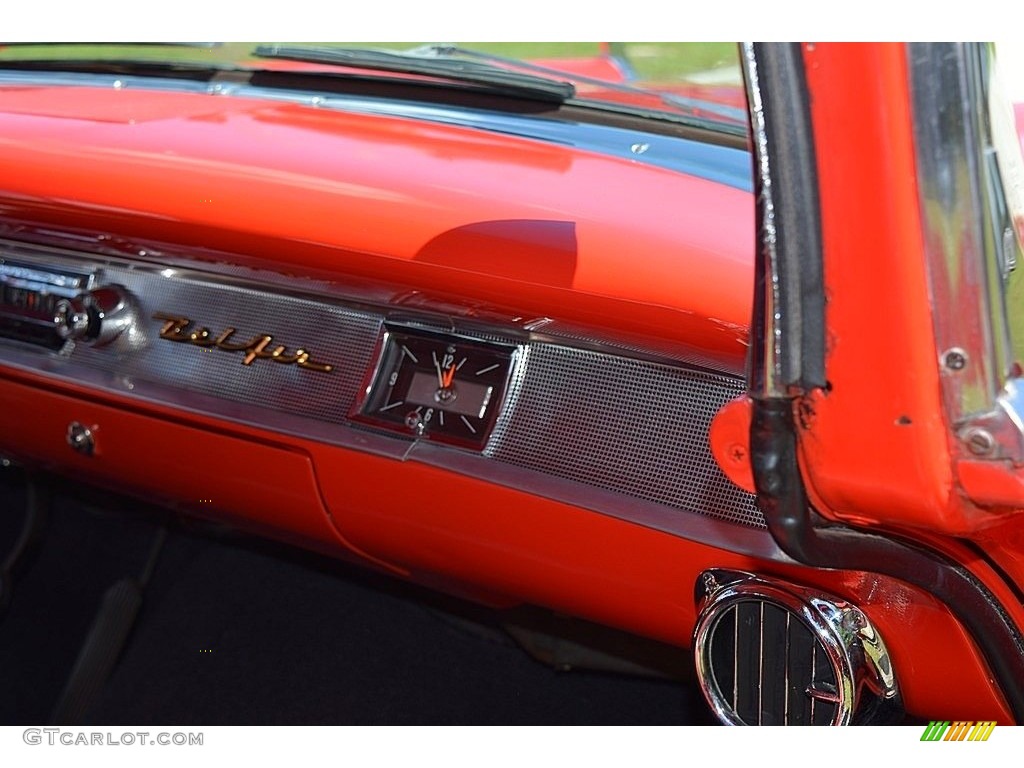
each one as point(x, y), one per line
point(439, 387)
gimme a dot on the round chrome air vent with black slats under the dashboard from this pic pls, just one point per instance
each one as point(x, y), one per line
point(819, 659)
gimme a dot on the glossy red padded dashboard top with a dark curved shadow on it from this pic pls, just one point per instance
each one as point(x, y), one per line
point(538, 228)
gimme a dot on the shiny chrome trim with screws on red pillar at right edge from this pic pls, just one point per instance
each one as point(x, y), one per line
point(971, 251)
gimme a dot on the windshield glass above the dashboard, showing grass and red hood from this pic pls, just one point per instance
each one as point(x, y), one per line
point(699, 83)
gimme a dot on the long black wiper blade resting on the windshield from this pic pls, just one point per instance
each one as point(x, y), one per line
point(460, 70)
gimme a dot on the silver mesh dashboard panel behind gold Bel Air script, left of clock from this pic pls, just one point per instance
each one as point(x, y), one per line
point(342, 337)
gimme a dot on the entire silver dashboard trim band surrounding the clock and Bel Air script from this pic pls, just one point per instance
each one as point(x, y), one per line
point(629, 435)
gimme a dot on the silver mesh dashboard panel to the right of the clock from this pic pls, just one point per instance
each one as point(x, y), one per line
point(633, 426)
